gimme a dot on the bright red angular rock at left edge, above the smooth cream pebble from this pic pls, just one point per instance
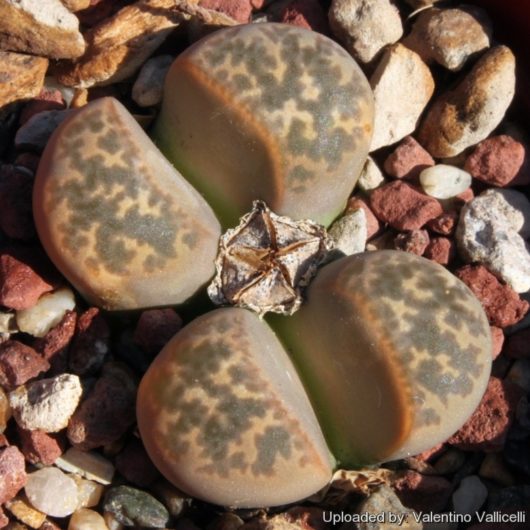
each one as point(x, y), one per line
point(20, 285)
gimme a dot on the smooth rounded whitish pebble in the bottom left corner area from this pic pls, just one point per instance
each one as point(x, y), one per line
point(52, 492)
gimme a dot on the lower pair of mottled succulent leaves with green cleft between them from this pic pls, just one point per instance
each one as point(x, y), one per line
point(393, 351)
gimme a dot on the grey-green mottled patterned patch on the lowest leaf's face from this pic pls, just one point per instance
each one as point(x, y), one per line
point(217, 398)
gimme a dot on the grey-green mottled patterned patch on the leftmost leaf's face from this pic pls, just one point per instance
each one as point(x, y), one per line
point(103, 199)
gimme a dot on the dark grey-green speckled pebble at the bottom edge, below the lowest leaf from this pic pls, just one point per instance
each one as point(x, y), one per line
point(131, 507)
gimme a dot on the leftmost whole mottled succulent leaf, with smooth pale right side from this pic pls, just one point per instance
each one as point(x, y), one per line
point(115, 216)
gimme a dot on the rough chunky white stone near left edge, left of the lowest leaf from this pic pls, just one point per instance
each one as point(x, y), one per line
point(46, 404)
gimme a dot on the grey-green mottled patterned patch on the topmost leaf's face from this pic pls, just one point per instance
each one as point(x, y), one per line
point(324, 95)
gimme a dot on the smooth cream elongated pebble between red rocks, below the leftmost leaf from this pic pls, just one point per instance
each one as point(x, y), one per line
point(46, 313)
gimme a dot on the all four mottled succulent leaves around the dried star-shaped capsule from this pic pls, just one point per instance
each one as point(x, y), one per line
point(391, 352)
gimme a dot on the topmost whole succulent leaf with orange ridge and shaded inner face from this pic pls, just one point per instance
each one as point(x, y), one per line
point(267, 111)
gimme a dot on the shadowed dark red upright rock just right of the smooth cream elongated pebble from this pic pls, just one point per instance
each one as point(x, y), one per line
point(90, 345)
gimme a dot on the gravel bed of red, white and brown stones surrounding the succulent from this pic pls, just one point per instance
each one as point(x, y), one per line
point(447, 179)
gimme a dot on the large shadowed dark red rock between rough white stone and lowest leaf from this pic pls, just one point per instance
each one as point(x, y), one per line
point(107, 412)
